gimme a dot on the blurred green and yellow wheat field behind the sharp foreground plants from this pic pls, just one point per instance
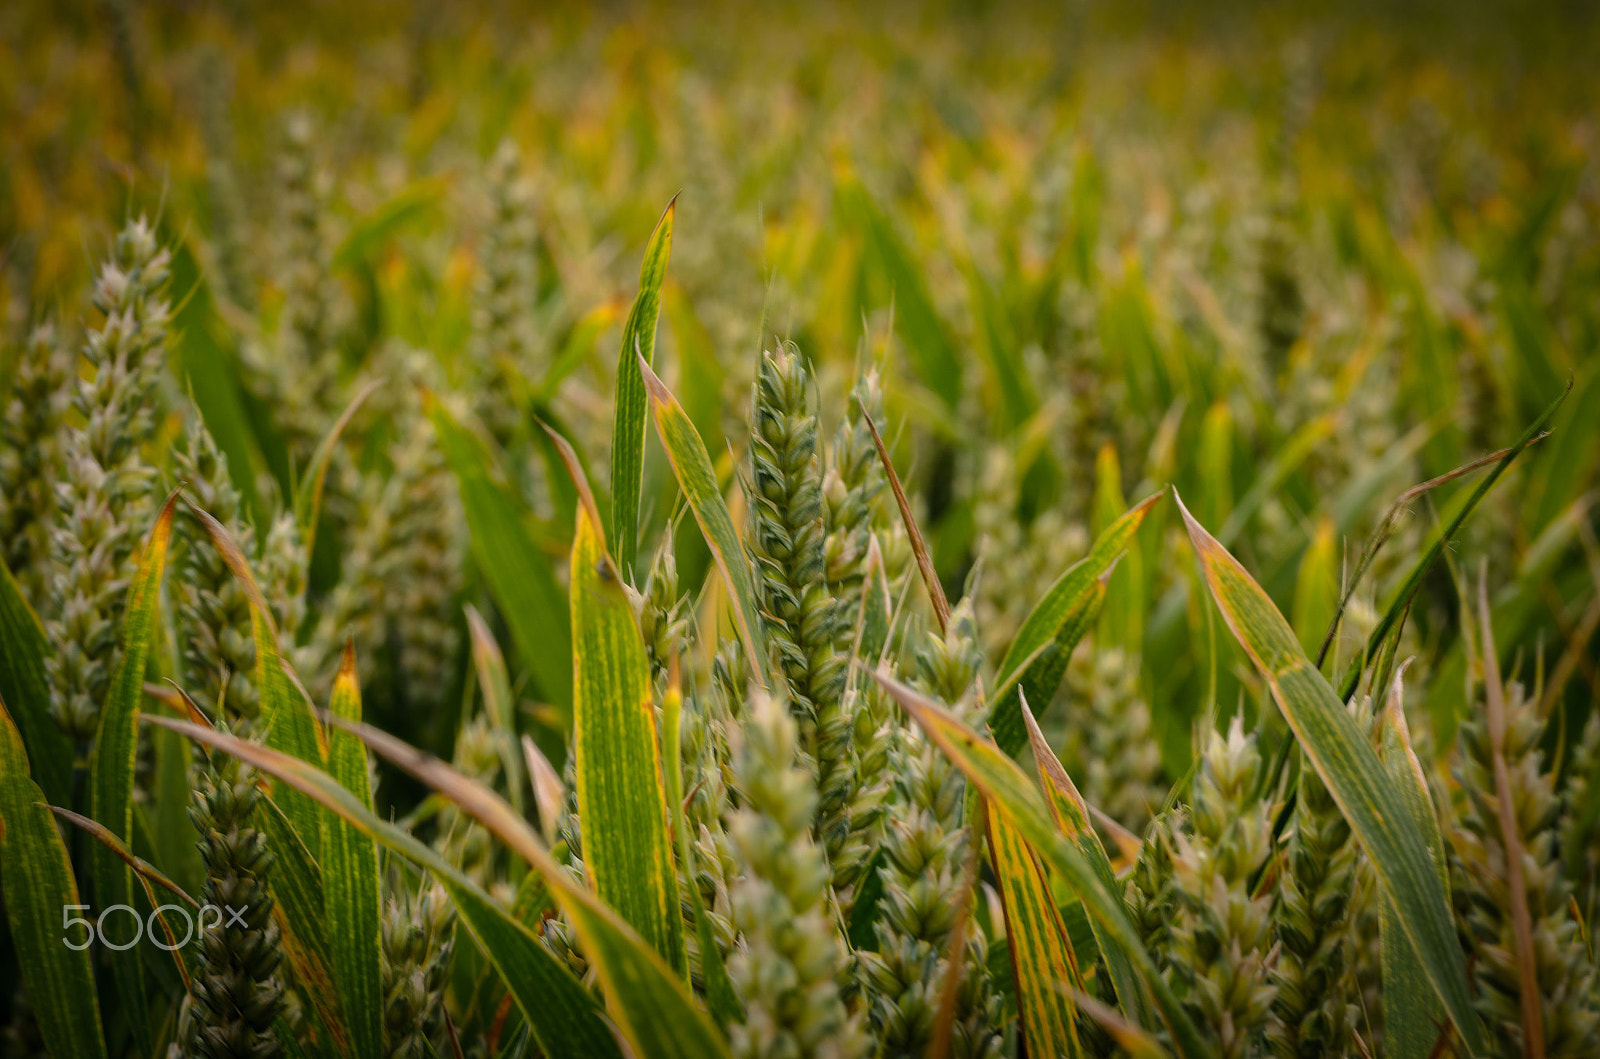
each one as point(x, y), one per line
point(1289, 262)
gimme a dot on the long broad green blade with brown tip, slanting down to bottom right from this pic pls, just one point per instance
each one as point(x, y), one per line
point(1350, 767)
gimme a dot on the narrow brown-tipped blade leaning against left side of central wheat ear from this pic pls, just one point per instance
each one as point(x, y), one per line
point(694, 468)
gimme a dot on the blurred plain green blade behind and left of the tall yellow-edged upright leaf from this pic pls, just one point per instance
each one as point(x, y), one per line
point(518, 572)
